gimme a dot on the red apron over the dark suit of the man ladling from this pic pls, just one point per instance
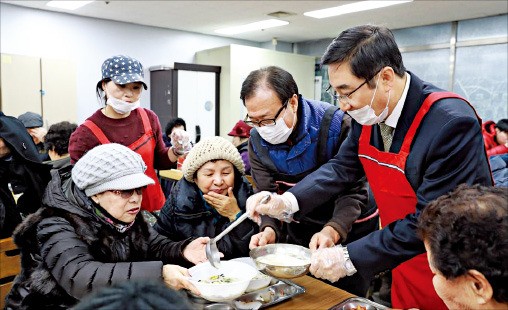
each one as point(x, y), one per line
point(412, 280)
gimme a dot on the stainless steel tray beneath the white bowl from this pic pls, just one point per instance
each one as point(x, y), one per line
point(270, 295)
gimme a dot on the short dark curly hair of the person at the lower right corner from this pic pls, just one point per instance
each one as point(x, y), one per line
point(468, 229)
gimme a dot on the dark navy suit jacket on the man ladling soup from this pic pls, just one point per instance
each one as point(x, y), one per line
point(446, 151)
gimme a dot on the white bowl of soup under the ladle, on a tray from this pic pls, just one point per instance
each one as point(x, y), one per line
point(222, 284)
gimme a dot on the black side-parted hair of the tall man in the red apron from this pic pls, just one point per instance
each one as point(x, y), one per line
point(368, 49)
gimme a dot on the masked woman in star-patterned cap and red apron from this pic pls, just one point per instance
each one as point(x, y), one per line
point(122, 121)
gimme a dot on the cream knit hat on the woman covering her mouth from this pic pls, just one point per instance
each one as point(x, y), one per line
point(211, 148)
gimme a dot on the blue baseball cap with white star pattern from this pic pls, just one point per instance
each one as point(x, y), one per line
point(122, 70)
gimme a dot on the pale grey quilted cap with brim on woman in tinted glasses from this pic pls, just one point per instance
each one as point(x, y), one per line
point(110, 167)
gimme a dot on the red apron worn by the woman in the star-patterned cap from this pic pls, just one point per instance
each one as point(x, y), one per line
point(153, 197)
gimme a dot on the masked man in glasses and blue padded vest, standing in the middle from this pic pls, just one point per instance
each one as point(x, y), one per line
point(294, 136)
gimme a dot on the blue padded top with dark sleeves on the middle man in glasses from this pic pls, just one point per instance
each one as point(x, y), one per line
point(295, 160)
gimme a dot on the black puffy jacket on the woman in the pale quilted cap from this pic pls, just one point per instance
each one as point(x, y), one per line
point(66, 252)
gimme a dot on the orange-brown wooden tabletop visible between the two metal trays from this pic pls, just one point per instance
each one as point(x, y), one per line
point(318, 295)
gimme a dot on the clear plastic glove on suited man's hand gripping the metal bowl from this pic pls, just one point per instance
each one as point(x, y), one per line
point(328, 263)
